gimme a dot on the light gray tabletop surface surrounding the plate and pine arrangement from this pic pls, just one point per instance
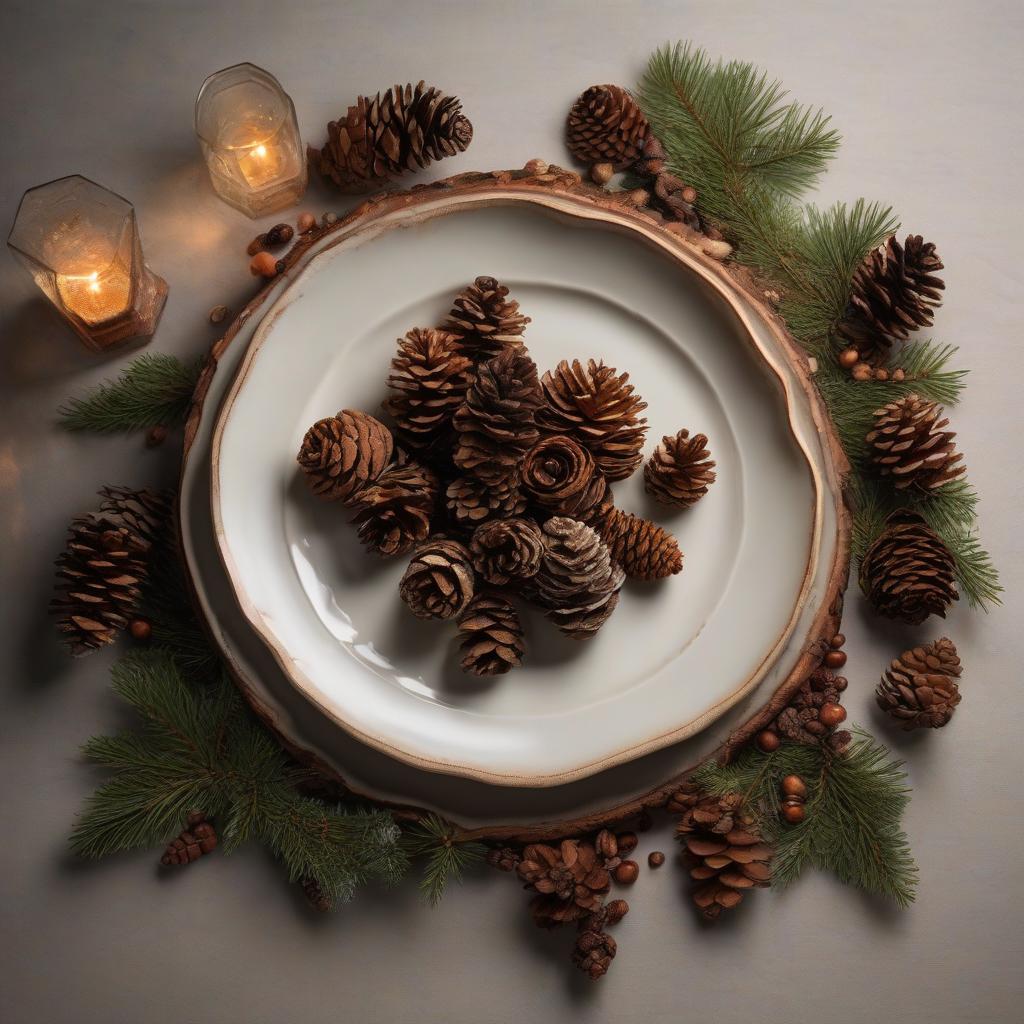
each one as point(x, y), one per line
point(928, 99)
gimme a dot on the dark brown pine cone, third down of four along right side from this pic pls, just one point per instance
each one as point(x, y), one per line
point(909, 574)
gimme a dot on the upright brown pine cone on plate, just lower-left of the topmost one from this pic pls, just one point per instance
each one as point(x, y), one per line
point(431, 379)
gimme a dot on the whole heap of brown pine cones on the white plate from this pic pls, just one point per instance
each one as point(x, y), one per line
point(496, 480)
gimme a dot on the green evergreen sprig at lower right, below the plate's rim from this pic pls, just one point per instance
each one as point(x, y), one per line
point(856, 804)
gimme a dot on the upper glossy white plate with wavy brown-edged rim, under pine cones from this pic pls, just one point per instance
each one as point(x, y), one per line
point(675, 656)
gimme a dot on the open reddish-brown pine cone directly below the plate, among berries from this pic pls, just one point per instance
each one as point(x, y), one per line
point(569, 880)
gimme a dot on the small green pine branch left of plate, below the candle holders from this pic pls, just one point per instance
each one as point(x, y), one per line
point(154, 390)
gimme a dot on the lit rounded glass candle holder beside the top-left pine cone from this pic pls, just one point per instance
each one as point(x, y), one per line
point(250, 140)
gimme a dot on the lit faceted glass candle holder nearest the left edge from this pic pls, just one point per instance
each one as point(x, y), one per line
point(80, 244)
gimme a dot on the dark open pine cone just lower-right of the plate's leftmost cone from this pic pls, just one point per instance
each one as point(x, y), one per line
point(394, 514)
